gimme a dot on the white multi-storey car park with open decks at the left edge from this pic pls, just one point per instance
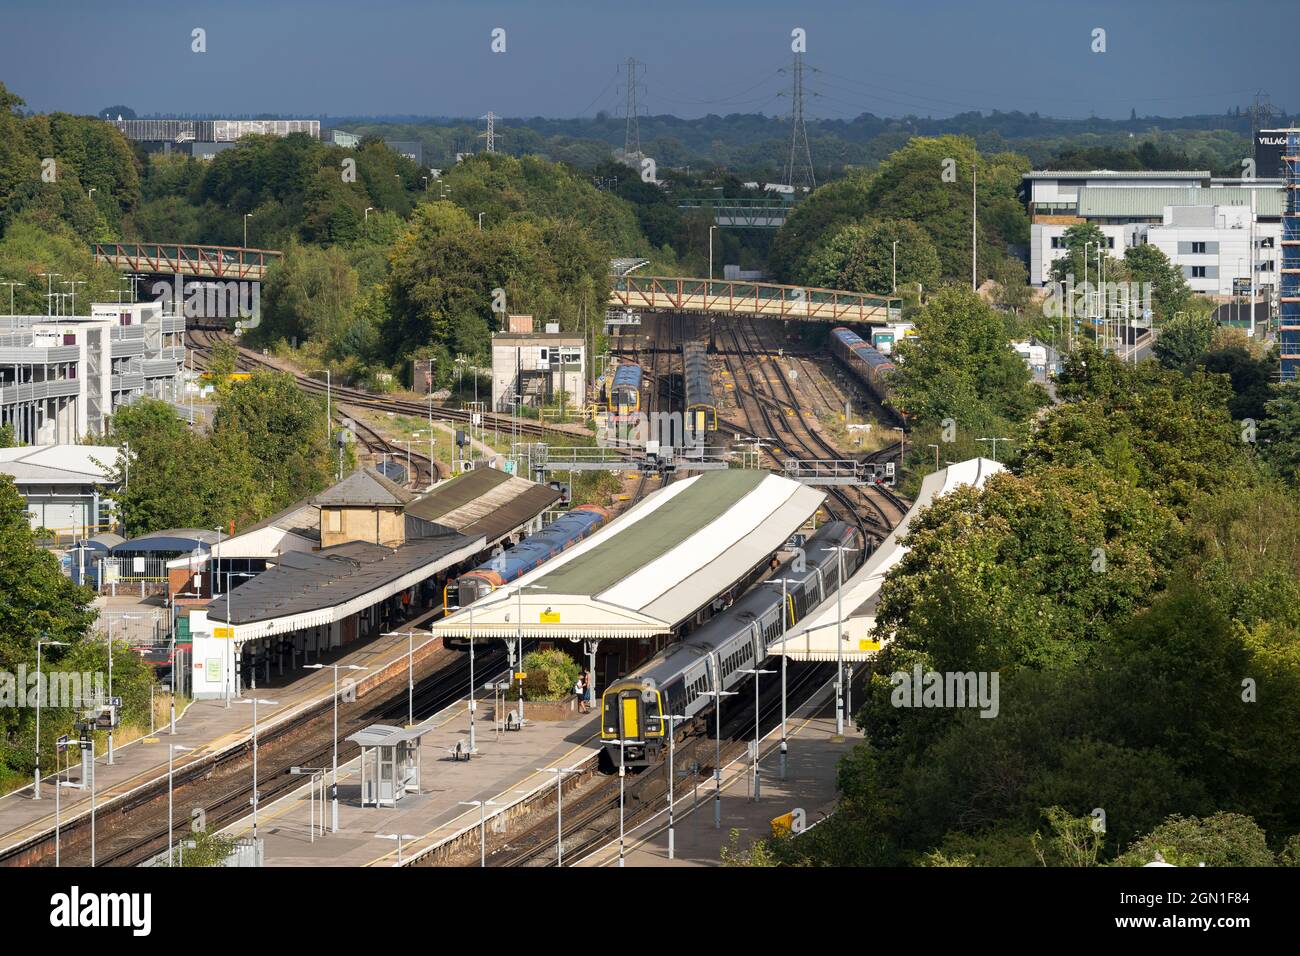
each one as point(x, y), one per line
point(62, 378)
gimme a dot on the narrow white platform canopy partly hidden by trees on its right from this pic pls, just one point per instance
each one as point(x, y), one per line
point(814, 638)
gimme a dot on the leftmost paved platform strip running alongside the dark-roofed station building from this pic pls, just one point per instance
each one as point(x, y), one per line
point(206, 726)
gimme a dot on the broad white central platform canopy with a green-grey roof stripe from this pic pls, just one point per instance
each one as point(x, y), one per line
point(652, 568)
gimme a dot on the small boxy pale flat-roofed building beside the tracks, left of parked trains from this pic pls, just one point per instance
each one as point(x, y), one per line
point(541, 369)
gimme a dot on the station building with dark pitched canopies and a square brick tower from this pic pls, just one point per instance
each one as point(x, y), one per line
point(341, 568)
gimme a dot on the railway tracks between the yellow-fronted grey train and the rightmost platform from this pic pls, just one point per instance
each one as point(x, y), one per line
point(592, 816)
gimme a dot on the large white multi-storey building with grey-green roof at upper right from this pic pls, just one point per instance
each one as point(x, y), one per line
point(1207, 227)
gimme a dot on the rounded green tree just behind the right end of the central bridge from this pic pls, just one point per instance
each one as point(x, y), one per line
point(861, 258)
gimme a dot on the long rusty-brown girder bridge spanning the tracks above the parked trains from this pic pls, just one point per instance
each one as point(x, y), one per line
point(768, 300)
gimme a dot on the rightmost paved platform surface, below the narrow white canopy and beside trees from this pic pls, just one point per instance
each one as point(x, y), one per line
point(811, 784)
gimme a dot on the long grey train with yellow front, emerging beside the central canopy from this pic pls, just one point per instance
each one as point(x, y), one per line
point(681, 680)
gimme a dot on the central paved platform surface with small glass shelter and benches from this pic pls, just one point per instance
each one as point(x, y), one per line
point(504, 772)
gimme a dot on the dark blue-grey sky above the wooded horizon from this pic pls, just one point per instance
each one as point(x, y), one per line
point(565, 58)
